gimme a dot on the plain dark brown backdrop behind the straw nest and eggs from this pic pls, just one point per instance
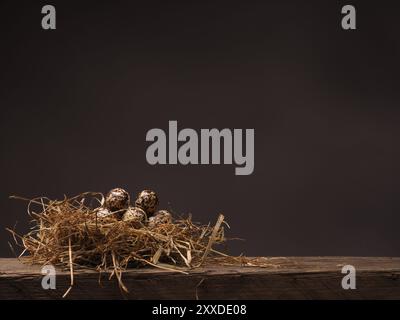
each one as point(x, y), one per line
point(77, 102)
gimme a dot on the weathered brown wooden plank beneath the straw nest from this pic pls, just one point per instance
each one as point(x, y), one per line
point(286, 278)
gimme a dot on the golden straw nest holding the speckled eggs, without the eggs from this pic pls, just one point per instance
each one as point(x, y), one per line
point(74, 233)
